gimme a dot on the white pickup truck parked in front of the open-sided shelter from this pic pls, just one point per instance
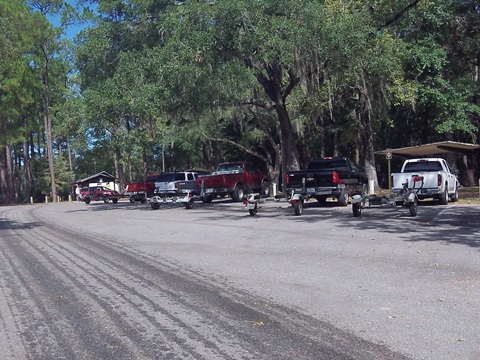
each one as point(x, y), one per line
point(439, 180)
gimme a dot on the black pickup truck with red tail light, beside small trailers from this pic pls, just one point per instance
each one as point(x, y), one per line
point(335, 177)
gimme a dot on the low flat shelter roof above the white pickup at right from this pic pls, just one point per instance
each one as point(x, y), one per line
point(433, 149)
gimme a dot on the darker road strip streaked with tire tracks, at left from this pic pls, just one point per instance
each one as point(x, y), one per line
point(142, 307)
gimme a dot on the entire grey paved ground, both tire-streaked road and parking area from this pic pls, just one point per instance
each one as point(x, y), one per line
point(121, 281)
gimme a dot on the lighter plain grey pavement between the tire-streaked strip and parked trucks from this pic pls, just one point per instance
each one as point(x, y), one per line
point(411, 284)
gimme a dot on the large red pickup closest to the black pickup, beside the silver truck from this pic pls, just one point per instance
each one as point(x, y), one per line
point(233, 179)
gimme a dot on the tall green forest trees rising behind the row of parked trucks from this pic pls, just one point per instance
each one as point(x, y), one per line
point(156, 85)
